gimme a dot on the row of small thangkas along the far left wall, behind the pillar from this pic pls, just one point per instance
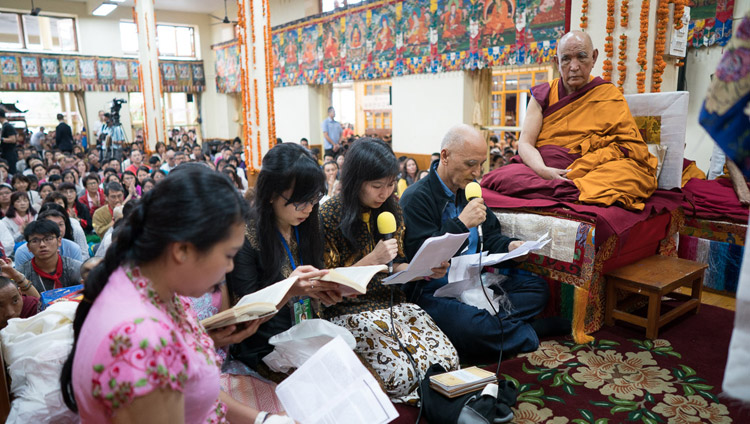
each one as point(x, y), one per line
point(50, 72)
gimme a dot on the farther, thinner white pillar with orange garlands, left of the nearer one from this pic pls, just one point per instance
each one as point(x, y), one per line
point(148, 74)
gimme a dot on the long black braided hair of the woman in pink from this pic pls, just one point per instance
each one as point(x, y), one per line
point(179, 209)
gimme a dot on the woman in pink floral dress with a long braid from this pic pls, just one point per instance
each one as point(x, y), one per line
point(140, 354)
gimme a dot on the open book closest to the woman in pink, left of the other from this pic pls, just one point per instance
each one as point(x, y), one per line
point(252, 306)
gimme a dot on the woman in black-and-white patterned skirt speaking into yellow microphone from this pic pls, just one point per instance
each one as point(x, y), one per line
point(352, 239)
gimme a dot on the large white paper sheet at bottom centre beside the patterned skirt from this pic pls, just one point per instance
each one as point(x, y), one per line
point(333, 387)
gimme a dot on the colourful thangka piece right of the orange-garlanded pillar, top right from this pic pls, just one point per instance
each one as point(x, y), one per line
point(710, 22)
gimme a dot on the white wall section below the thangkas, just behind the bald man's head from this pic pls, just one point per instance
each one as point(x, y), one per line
point(426, 106)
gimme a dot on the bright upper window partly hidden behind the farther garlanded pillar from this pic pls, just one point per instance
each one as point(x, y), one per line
point(172, 40)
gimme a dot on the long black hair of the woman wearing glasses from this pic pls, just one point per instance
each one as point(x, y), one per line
point(284, 166)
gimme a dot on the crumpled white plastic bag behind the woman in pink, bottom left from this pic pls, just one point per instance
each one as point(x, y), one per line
point(34, 350)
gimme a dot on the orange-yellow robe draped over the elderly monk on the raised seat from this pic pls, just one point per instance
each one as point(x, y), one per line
point(598, 125)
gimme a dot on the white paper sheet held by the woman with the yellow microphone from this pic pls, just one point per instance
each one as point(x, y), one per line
point(433, 251)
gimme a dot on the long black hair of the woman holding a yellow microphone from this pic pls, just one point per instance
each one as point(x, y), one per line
point(368, 159)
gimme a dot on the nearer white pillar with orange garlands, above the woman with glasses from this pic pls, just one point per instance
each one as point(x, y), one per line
point(256, 117)
